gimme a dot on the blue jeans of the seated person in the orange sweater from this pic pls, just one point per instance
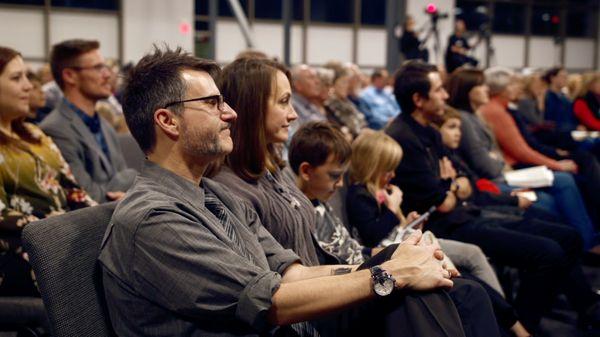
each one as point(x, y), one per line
point(563, 200)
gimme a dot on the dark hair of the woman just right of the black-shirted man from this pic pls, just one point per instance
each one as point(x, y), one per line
point(459, 86)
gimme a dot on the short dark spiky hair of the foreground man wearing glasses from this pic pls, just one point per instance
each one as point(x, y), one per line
point(155, 82)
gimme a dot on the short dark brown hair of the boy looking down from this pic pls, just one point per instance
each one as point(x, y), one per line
point(314, 142)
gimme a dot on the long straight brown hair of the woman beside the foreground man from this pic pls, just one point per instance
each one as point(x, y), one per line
point(246, 85)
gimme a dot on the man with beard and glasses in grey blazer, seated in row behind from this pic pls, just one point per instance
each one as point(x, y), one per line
point(87, 141)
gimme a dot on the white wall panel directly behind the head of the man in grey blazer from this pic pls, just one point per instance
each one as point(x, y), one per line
point(101, 27)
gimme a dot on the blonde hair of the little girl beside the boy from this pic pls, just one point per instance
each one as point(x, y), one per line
point(373, 154)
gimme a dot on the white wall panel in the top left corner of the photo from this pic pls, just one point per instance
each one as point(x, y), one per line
point(26, 33)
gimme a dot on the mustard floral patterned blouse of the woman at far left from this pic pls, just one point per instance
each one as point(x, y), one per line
point(35, 182)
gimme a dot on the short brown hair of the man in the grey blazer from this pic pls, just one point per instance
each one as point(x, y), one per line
point(64, 54)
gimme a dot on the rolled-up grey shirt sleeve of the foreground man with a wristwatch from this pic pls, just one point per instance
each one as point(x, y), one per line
point(185, 267)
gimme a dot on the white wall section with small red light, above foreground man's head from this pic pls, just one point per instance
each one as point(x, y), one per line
point(155, 21)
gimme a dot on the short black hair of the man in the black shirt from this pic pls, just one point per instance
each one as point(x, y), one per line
point(411, 78)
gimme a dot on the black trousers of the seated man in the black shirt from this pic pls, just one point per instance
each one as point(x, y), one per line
point(545, 254)
